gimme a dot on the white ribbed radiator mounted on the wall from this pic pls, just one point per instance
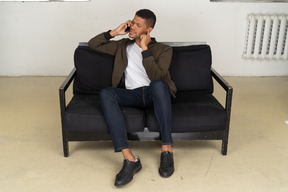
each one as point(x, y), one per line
point(266, 37)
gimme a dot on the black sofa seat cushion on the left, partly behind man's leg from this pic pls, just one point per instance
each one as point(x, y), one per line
point(84, 113)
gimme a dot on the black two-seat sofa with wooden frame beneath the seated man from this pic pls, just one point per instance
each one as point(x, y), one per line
point(196, 113)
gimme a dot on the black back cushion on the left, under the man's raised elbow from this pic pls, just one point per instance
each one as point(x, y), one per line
point(93, 70)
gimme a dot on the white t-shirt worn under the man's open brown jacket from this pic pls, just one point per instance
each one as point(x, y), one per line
point(135, 73)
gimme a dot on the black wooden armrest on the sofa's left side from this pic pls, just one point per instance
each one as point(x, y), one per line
point(63, 89)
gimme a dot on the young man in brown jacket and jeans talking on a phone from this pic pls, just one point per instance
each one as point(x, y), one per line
point(144, 64)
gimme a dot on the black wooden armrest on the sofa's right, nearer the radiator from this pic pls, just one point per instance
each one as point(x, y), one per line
point(225, 85)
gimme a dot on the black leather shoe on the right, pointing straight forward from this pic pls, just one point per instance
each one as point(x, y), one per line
point(166, 168)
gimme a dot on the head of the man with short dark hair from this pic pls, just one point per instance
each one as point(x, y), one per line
point(143, 22)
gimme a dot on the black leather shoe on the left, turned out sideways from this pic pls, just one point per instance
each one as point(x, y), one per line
point(127, 172)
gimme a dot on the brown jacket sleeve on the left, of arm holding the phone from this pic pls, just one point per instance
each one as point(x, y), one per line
point(103, 44)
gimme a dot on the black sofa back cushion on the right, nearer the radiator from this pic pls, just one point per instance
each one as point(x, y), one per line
point(191, 68)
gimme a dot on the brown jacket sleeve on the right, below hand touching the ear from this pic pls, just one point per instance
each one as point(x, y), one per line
point(157, 68)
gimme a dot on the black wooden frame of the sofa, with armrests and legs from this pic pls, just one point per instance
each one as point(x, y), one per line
point(68, 135)
